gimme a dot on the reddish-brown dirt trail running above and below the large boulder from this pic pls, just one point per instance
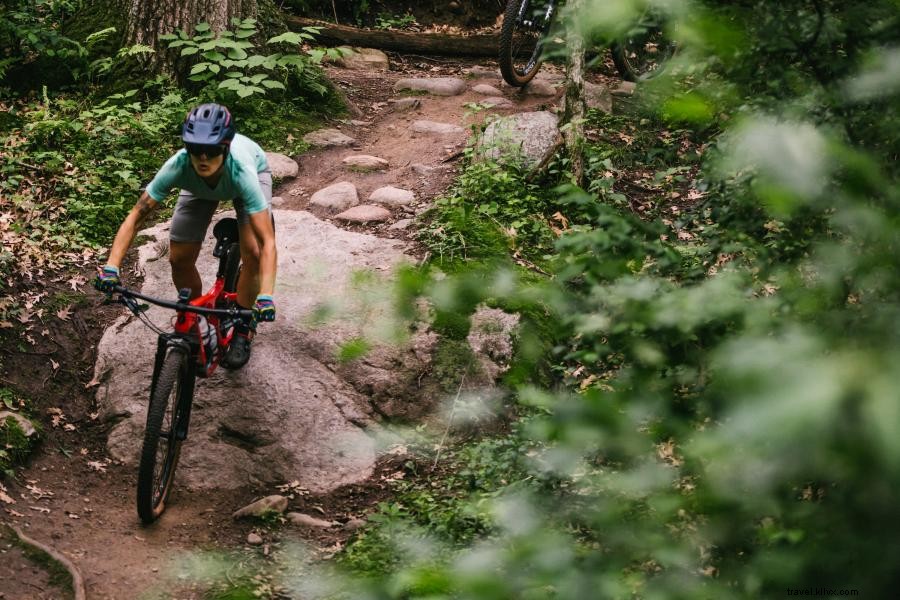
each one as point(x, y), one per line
point(74, 498)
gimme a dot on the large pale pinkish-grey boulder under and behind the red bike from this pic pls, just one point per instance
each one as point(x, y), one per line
point(296, 411)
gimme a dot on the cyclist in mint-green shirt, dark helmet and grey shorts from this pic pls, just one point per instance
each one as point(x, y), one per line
point(216, 164)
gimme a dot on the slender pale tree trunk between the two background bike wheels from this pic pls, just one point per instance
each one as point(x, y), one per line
point(575, 104)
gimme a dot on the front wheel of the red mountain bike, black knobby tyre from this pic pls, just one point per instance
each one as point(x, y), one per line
point(162, 443)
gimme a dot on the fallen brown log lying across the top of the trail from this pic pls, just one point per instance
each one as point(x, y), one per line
point(441, 44)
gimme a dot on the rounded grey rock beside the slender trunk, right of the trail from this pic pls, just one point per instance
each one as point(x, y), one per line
point(527, 138)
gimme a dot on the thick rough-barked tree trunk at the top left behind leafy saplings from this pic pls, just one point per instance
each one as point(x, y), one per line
point(146, 20)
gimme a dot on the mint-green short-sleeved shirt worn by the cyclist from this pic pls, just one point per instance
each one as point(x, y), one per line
point(239, 177)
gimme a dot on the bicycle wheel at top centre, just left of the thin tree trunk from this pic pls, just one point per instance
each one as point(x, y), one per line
point(525, 23)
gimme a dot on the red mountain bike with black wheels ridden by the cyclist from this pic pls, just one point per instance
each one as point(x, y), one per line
point(202, 335)
